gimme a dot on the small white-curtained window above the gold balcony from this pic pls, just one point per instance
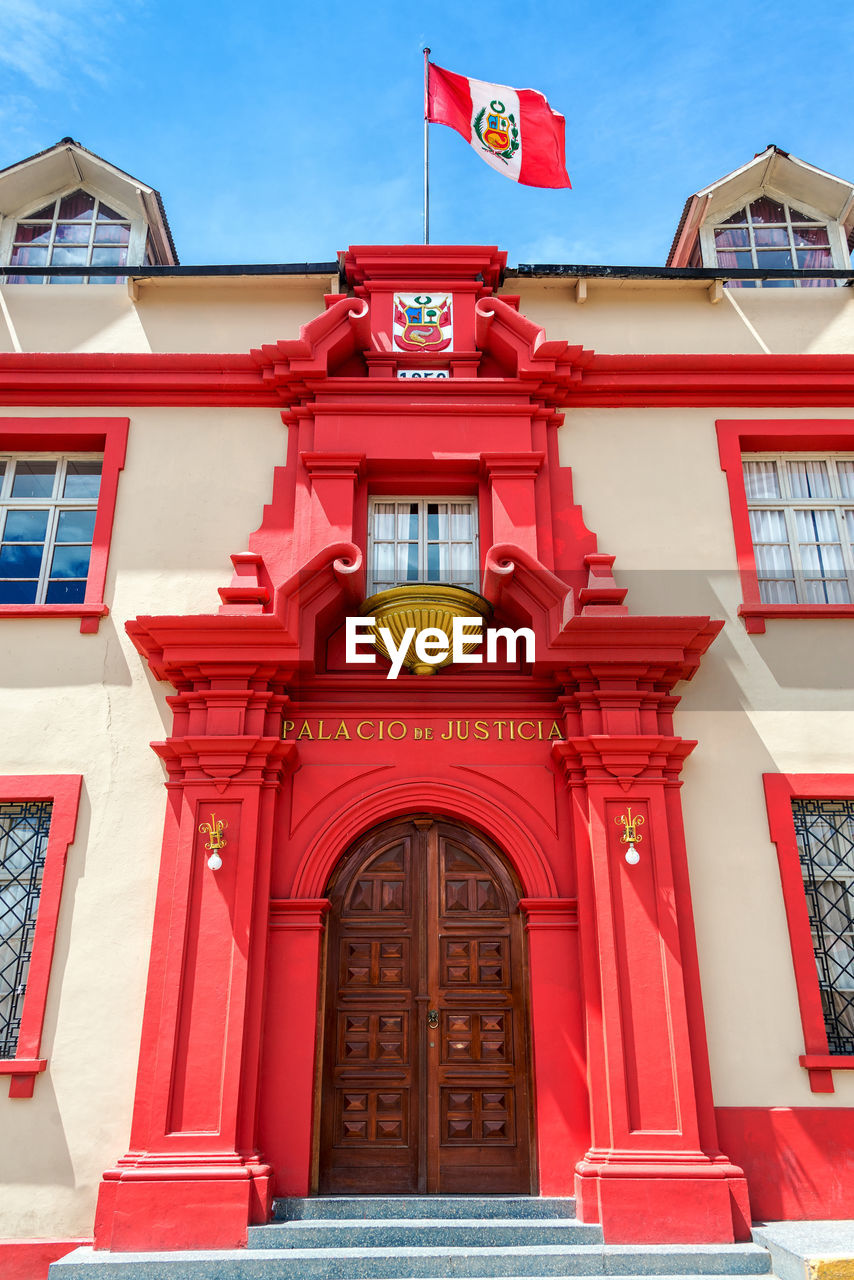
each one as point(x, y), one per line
point(422, 541)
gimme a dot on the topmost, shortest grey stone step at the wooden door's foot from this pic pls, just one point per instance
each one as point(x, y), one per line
point(359, 1208)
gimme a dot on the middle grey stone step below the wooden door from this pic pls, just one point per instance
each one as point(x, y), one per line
point(422, 1232)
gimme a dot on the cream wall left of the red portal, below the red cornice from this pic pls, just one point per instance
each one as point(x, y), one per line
point(193, 490)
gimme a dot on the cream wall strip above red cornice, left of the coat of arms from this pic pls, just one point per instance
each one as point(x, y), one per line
point(172, 314)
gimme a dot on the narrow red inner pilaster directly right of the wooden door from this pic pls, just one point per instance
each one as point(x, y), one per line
point(558, 1035)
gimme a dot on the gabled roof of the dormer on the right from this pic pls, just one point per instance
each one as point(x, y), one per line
point(771, 172)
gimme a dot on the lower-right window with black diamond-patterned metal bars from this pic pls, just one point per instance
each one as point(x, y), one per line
point(825, 834)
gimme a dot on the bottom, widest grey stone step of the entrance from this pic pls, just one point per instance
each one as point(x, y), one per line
point(421, 1264)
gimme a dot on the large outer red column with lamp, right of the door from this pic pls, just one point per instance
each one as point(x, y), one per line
point(652, 1172)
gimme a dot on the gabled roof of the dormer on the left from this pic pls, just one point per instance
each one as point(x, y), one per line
point(68, 164)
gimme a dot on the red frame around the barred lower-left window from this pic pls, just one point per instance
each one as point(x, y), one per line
point(65, 792)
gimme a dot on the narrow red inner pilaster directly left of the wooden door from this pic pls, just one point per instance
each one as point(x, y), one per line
point(289, 1084)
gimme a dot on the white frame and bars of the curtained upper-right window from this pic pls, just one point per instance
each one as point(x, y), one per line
point(789, 504)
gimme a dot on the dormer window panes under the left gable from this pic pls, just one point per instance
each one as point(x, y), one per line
point(77, 230)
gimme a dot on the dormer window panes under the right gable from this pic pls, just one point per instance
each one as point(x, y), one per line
point(766, 235)
